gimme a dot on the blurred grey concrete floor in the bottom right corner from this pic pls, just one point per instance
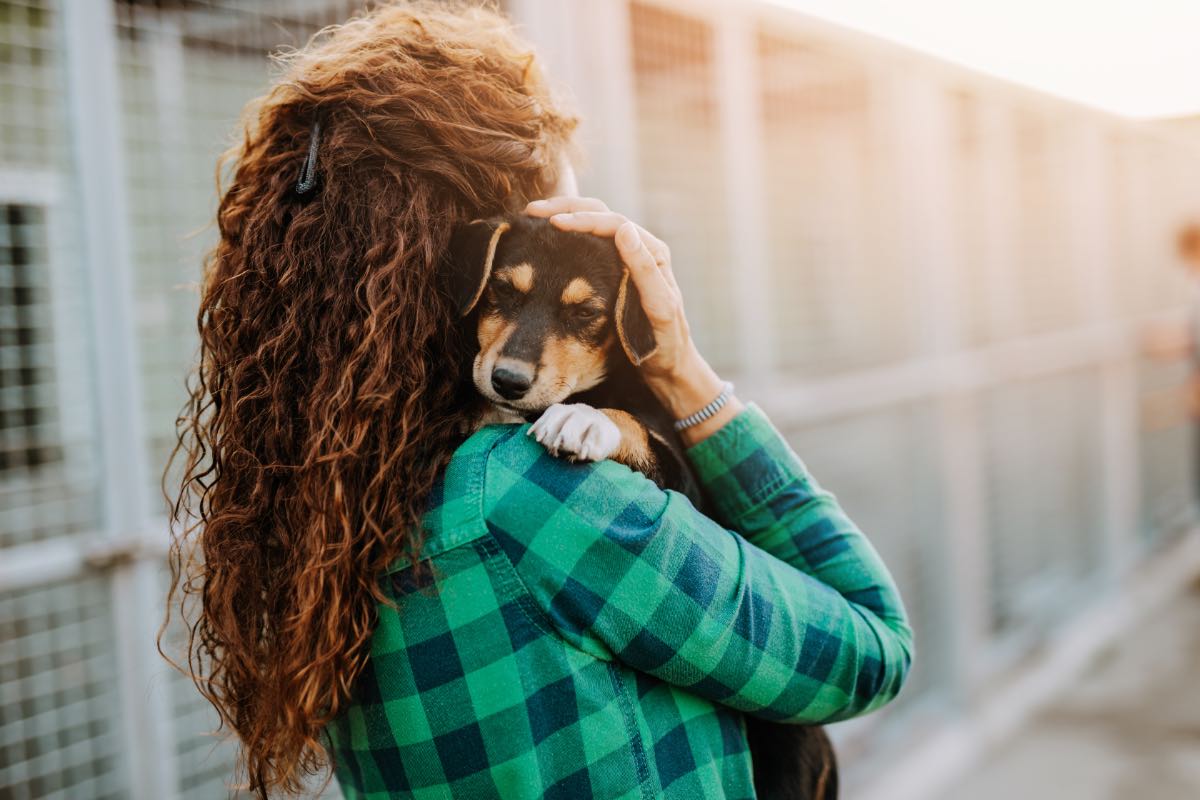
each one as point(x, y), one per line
point(1131, 730)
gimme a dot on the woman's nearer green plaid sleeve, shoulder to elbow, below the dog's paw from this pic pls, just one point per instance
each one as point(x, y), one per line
point(633, 574)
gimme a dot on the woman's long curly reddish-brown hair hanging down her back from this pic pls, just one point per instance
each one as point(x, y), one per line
point(327, 400)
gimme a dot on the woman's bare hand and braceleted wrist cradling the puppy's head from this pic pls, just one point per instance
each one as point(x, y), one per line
point(676, 374)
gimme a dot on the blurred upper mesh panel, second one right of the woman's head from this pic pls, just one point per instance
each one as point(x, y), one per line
point(842, 300)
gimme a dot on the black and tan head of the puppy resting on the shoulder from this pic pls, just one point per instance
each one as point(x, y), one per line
point(551, 308)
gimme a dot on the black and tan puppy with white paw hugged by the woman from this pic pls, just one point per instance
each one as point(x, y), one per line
point(560, 333)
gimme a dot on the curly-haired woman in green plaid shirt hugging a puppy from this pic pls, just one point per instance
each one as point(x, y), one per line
point(441, 615)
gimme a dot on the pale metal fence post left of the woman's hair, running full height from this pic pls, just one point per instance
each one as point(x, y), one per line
point(94, 103)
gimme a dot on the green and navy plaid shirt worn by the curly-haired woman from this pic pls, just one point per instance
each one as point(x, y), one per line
point(585, 634)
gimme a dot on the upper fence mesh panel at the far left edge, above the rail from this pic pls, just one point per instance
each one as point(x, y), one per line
point(47, 471)
